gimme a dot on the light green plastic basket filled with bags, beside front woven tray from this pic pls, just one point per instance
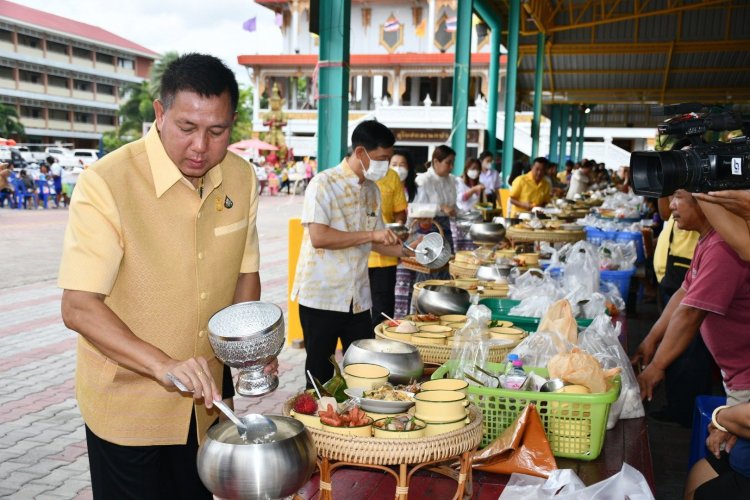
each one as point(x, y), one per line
point(575, 424)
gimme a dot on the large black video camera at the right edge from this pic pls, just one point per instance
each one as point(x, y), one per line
point(701, 167)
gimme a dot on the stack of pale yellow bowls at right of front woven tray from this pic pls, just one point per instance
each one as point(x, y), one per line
point(442, 410)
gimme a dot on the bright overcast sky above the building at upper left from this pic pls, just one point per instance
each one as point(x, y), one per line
point(213, 26)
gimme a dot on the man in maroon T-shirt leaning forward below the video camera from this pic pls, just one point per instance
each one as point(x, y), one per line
point(714, 296)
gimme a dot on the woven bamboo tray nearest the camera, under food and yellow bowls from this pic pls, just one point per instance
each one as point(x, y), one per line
point(380, 451)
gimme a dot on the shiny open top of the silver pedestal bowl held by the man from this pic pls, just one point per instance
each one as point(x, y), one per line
point(246, 319)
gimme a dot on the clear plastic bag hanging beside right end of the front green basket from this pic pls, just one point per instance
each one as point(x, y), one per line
point(601, 340)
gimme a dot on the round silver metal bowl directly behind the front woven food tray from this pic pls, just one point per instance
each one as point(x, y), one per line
point(401, 359)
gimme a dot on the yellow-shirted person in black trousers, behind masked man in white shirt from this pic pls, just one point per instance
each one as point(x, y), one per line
point(382, 268)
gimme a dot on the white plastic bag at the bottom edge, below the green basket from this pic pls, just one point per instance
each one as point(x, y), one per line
point(564, 484)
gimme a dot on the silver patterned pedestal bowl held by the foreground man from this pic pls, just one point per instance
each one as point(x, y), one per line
point(248, 336)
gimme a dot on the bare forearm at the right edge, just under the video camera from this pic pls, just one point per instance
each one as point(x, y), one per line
point(729, 213)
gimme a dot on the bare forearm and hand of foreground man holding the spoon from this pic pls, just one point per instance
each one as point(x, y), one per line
point(87, 314)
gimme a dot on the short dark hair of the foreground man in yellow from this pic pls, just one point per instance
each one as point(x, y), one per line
point(203, 74)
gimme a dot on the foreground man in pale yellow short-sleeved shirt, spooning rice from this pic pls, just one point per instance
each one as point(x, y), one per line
point(161, 235)
